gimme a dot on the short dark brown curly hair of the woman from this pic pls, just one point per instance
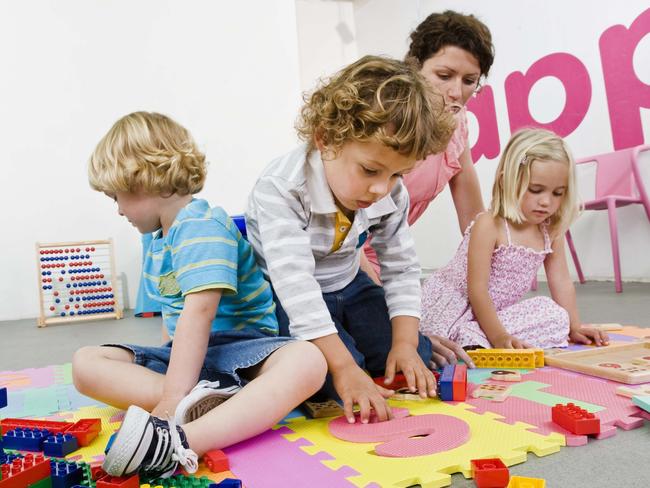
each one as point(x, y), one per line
point(451, 28)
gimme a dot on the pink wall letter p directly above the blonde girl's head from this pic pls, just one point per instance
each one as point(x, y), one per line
point(574, 77)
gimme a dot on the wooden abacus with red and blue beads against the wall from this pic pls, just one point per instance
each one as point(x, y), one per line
point(76, 281)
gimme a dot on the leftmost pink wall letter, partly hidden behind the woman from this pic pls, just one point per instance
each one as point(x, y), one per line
point(482, 106)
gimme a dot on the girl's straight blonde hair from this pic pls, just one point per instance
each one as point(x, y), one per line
point(513, 177)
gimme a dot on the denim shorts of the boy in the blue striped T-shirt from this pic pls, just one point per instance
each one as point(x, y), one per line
point(228, 352)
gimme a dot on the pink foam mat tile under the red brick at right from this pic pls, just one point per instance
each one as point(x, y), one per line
point(618, 411)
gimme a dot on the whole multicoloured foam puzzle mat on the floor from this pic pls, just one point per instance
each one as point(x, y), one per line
point(302, 452)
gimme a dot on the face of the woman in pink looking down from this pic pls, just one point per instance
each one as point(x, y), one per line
point(455, 73)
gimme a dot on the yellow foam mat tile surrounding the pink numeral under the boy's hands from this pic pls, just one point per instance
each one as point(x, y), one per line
point(488, 438)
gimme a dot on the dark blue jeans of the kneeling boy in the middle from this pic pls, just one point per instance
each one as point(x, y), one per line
point(361, 318)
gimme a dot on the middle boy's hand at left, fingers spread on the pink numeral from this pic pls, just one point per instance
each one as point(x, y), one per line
point(355, 387)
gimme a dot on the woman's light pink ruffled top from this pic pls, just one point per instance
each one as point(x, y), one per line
point(430, 176)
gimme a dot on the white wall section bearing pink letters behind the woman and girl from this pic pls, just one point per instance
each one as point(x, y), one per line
point(524, 32)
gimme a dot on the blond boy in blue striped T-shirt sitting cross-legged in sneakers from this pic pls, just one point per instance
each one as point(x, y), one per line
point(217, 310)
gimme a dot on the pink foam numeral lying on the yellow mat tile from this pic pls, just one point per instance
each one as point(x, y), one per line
point(440, 433)
